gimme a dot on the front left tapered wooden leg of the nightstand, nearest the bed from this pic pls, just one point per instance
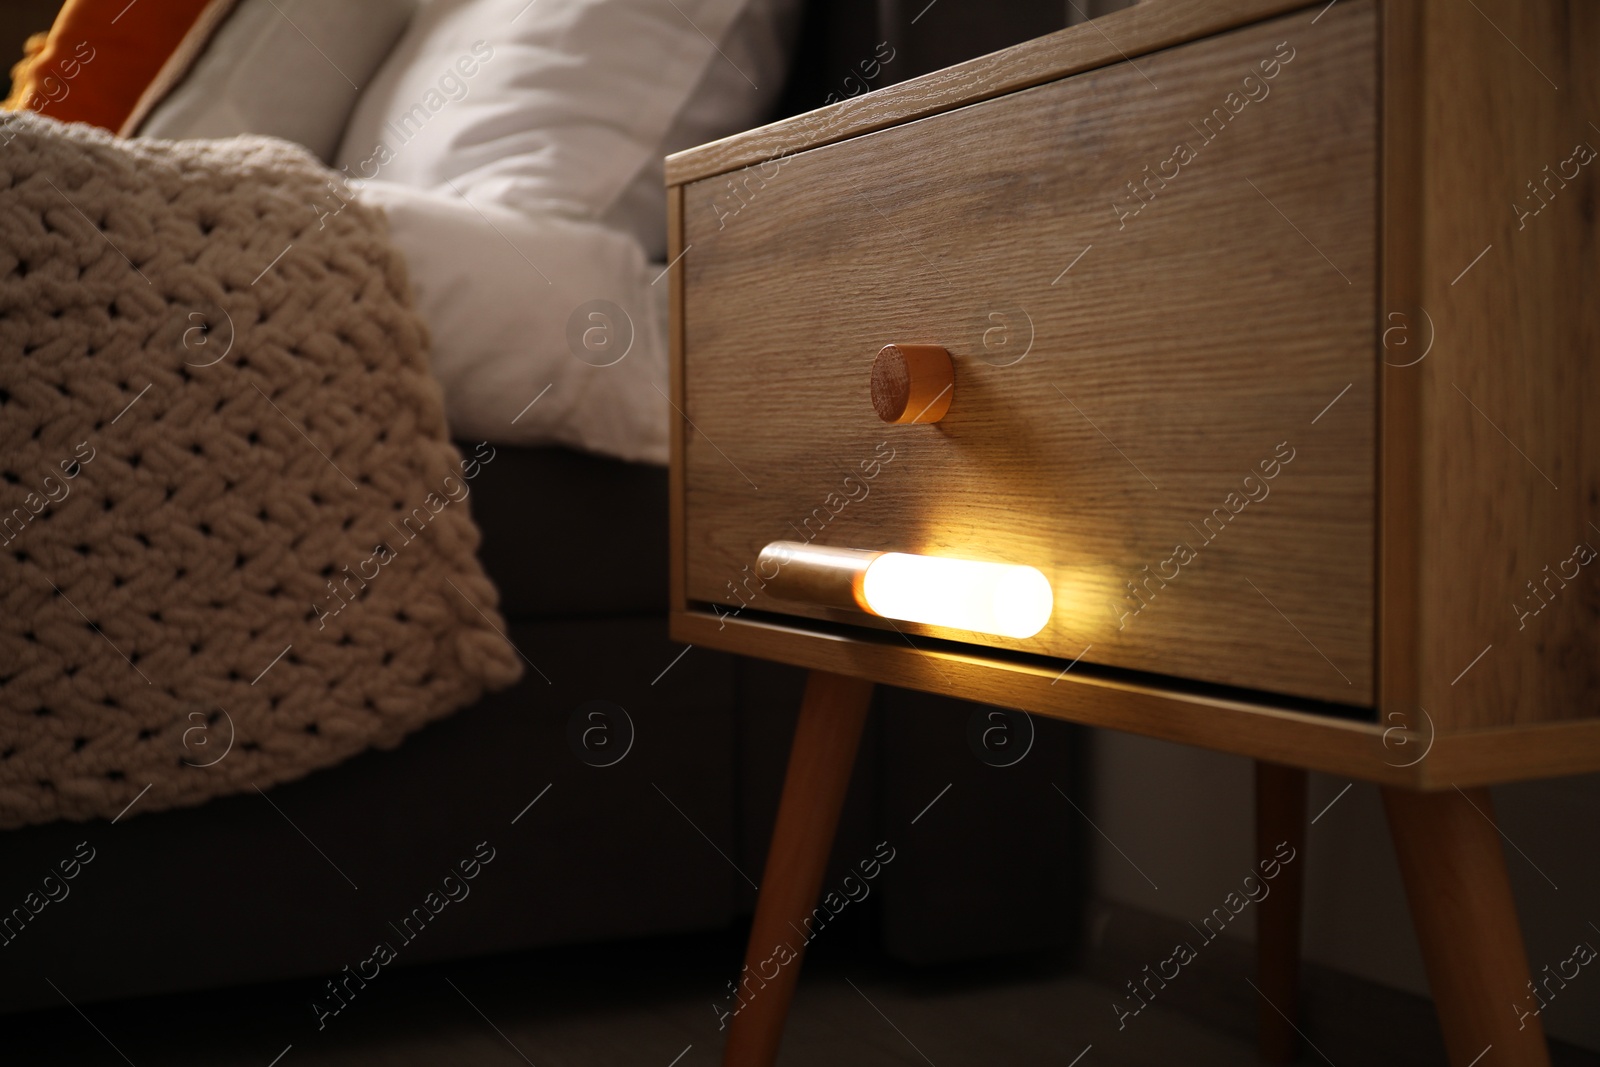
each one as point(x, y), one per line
point(825, 751)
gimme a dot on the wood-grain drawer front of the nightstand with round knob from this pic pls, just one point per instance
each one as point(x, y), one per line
point(1156, 282)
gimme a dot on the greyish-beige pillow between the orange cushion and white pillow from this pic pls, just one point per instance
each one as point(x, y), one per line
point(289, 70)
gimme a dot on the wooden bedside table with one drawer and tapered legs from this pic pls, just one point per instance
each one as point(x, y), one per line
point(1270, 337)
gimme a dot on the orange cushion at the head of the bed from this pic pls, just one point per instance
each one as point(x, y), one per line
point(98, 58)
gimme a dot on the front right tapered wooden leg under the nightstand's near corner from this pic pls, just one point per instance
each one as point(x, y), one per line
point(1466, 922)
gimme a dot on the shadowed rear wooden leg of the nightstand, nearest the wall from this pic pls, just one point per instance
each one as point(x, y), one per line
point(1281, 820)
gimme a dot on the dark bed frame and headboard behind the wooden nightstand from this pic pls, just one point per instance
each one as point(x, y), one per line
point(662, 842)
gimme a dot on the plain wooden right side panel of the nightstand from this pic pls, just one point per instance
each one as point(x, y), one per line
point(1510, 444)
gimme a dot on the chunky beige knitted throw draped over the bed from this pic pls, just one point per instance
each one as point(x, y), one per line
point(234, 535)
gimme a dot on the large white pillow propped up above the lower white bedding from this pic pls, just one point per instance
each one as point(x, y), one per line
point(567, 102)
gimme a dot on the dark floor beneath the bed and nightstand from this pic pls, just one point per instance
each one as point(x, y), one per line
point(655, 1004)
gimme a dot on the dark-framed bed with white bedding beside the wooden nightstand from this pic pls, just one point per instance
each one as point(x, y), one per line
point(626, 785)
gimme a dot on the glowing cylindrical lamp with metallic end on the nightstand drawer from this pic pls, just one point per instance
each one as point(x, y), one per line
point(974, 596)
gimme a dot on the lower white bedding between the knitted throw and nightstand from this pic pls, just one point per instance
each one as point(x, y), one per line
point(500, 330)
